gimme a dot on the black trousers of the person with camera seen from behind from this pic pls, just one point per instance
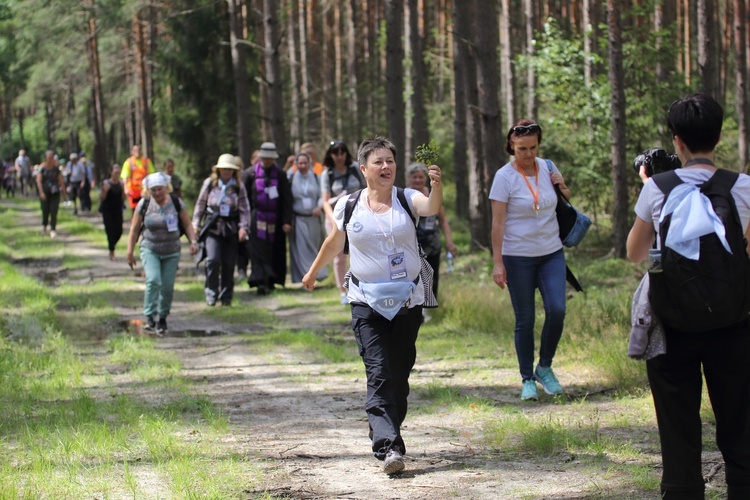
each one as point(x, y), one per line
point(676, 385)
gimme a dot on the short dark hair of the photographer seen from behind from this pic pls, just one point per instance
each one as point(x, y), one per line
point(696, 120)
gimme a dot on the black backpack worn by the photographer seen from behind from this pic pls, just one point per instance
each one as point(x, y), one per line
point(713, 291)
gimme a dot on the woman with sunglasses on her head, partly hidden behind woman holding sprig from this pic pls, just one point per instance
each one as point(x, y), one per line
point(341, 178)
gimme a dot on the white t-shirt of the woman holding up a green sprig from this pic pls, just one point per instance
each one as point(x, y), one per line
point(373, 238)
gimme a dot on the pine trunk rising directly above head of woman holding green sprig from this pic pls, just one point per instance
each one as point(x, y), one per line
point(394, 21)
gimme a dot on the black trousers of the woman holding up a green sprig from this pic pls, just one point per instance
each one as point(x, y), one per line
point(388, 350)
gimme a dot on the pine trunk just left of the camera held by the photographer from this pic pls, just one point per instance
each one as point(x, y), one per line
point(620, 169)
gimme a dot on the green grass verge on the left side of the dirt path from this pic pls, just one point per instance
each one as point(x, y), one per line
point(76, 425)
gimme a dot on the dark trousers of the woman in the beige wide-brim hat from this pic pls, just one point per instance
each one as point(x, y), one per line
point(221, 257)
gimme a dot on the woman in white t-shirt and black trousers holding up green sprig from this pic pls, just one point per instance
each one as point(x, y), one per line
point(385, 290)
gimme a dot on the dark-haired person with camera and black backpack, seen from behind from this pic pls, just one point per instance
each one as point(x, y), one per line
point(692, 225)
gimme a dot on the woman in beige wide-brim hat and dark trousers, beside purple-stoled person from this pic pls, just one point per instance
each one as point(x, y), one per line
point(221, 218)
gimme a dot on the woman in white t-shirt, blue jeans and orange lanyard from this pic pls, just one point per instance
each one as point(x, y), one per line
point(528, 253)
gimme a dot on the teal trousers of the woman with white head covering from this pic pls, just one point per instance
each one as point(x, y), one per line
point(160, 274)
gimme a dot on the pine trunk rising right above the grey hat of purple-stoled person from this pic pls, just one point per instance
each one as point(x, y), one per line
point(273, 76)
